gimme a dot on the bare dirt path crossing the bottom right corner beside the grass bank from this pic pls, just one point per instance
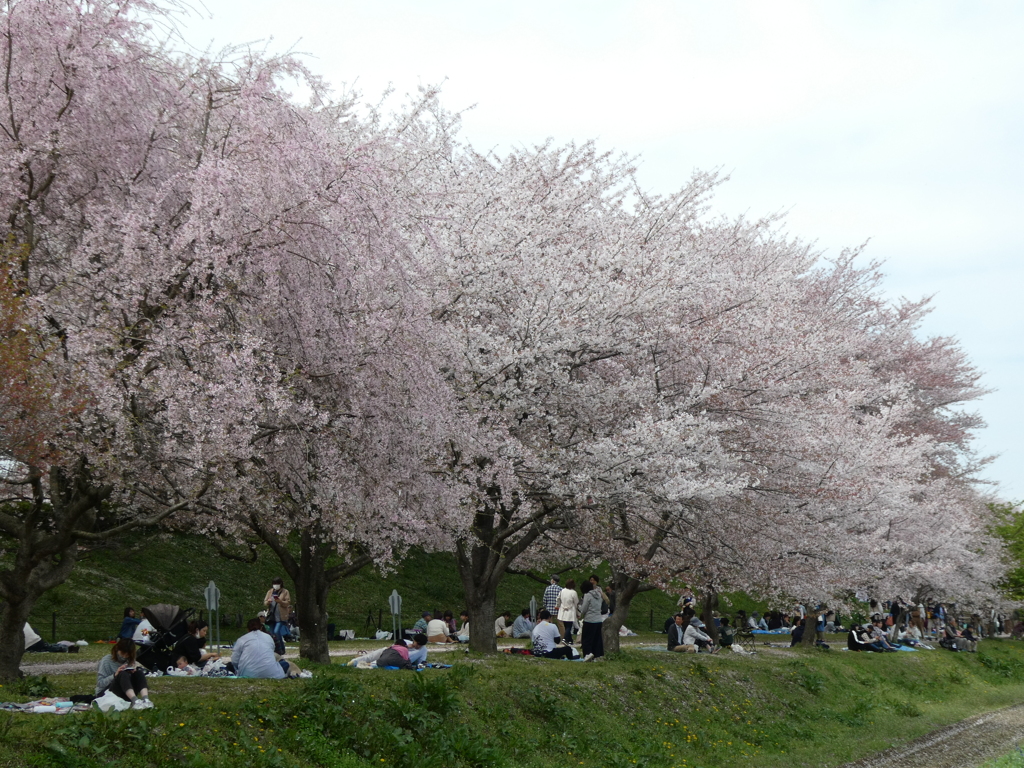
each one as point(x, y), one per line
point(964, 745)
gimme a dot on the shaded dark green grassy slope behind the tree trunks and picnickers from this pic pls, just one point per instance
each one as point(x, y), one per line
point(161, 568)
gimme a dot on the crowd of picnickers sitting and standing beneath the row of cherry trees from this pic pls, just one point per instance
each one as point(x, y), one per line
point(569, 617)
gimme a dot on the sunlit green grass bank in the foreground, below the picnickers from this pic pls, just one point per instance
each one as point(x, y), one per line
point(782, 708)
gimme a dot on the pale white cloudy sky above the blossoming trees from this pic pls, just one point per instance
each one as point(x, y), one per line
point(892, 121)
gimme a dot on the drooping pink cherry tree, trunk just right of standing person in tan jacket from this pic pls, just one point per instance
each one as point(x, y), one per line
point(339, 474)
